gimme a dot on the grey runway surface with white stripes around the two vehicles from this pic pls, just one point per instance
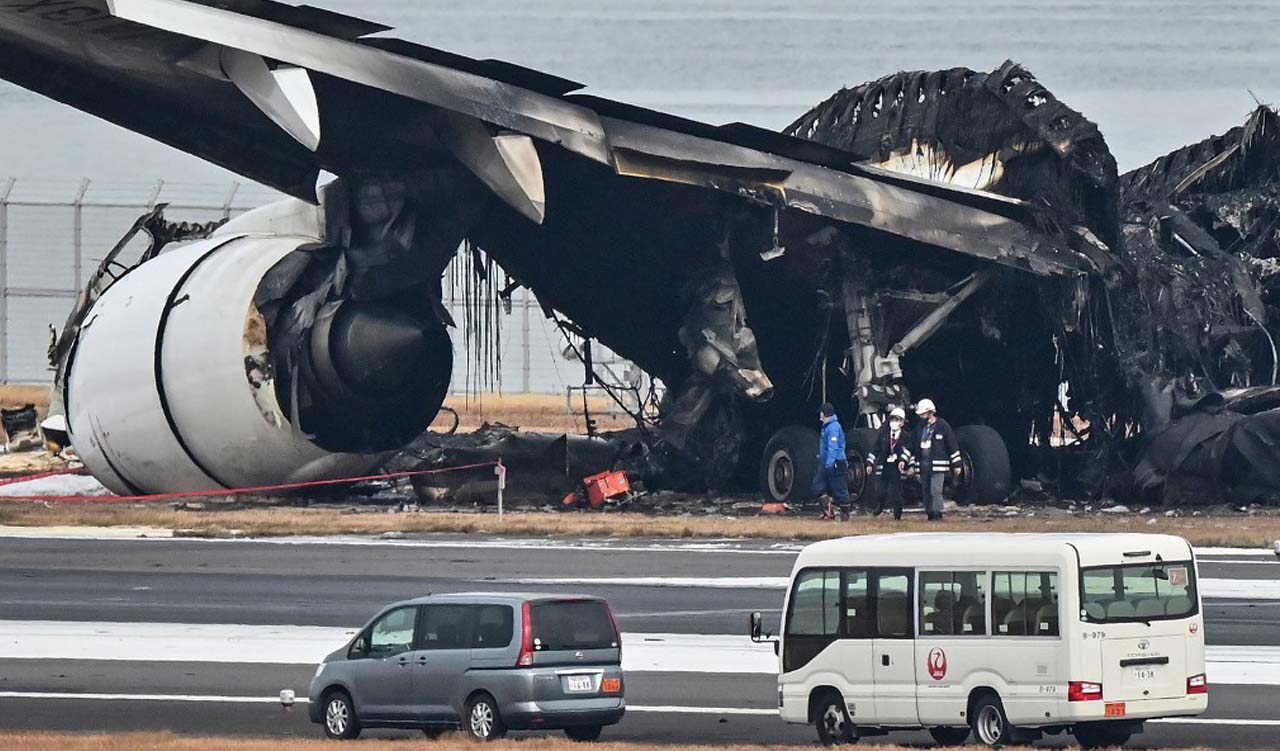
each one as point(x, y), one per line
point(200, 636)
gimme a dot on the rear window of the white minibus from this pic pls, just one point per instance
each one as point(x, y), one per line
point(1139, 593)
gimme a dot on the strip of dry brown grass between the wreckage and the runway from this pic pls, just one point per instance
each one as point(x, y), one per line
point(1241, 532)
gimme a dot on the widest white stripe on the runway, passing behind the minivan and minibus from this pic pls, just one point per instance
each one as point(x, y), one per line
point(308, 645)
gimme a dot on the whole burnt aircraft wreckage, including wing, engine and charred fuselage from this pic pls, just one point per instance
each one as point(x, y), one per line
point(953, 233)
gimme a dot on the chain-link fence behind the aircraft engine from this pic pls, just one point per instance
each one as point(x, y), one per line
point(54, 235)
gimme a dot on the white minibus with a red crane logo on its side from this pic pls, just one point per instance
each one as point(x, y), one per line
point(1003, 636)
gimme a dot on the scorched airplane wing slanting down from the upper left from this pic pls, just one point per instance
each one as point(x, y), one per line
point(278, 93)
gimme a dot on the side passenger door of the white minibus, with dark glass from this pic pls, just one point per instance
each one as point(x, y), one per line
point(894, 648)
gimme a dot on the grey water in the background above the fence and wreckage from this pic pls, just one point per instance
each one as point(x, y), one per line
point(1155, 75)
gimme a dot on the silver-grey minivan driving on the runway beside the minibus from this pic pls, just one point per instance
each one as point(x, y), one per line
point(486, 662)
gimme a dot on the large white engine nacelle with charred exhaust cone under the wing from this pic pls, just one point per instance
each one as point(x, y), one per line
point(172, 386)
